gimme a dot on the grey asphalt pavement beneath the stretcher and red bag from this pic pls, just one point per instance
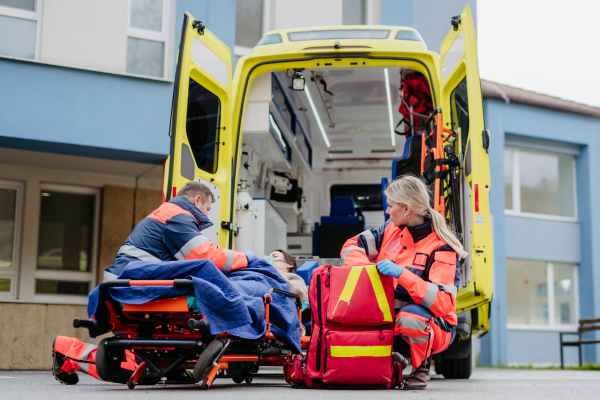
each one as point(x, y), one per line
point(485, 383)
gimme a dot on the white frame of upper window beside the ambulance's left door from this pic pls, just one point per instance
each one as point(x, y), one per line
point(154, 36)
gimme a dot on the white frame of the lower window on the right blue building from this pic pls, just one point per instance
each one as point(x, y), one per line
point(552, 325)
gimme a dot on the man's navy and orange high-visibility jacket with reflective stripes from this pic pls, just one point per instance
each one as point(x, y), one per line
point(172, 232)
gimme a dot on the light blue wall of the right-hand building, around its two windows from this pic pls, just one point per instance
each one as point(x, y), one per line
point(512, 235)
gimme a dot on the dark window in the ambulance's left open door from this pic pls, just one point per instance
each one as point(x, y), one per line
point(203, 126)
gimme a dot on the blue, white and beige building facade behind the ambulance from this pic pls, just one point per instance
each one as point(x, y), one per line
point(84, 120)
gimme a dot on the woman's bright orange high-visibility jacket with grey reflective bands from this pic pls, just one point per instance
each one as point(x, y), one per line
point(431, 268)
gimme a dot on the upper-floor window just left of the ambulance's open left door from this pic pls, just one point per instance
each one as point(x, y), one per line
point(147, 38)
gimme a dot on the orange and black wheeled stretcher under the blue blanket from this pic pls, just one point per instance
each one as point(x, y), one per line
point(171, 334)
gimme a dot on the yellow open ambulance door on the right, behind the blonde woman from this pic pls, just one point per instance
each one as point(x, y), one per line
point(463, 111)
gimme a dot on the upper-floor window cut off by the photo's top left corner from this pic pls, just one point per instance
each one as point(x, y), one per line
point(20, 28)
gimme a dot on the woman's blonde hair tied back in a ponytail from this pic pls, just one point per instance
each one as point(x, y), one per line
point(412, 191)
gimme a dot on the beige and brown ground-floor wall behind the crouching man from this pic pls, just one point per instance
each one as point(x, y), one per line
point(28, 327)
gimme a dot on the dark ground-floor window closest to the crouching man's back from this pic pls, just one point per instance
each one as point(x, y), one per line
point(67, 244)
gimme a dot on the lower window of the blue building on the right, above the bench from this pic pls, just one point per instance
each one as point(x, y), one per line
point(541, 293)
